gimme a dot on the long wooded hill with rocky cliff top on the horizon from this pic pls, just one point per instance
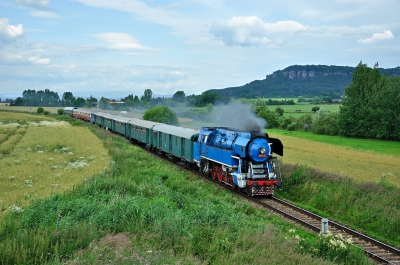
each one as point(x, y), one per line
point(299, 80)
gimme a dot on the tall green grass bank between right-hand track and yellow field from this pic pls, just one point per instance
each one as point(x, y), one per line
point(371, 207)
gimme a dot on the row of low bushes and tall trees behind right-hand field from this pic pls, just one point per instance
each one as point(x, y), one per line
point(370, 109)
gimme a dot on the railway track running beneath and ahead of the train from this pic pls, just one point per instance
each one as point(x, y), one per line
point(376, 250)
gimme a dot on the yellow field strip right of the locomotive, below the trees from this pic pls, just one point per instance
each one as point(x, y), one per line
point(360, 164)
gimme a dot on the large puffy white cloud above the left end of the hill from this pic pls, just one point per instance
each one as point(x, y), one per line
point(247, 31)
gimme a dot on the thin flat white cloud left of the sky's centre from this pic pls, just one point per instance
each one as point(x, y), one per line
point(119, 41)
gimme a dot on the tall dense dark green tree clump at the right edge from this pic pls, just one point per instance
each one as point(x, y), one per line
point(370, 106)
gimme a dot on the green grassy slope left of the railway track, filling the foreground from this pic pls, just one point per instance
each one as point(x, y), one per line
point(143, 210)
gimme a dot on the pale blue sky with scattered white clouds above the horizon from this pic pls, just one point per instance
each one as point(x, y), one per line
point(114, 48)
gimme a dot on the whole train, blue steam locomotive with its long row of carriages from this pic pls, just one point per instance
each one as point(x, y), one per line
point(244, 160)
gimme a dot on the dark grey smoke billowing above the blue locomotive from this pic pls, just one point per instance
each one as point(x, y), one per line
point(238, 116)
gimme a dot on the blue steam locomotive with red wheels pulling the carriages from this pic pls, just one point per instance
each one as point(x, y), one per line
point(240, 159)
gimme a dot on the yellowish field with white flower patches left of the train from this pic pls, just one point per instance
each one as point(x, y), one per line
point(40, 156)
